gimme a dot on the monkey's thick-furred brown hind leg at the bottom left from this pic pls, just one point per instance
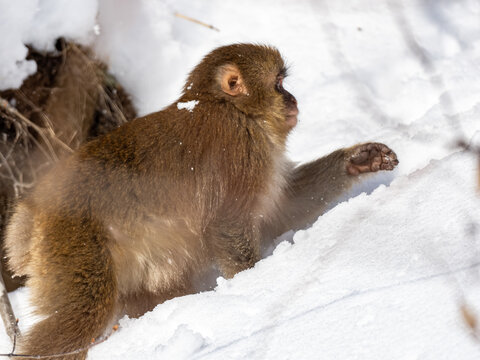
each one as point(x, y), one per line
point(73, 287)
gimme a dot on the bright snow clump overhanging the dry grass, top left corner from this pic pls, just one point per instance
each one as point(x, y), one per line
point(39, 23)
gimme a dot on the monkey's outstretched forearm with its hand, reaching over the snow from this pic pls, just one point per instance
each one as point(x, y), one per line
point(312, 187)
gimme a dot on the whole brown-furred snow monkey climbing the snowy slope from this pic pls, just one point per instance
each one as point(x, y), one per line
point(133, 217)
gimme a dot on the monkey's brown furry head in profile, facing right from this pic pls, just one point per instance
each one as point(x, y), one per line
point(249, 77)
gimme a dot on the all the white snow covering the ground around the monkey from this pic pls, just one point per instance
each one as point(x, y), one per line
point(383, 274)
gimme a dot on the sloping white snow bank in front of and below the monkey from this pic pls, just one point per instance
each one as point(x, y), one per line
point(360, 275)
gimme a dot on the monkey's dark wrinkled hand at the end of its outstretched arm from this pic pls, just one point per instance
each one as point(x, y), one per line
point(370, 157)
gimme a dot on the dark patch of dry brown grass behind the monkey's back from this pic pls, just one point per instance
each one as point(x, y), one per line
point(69, 100)
